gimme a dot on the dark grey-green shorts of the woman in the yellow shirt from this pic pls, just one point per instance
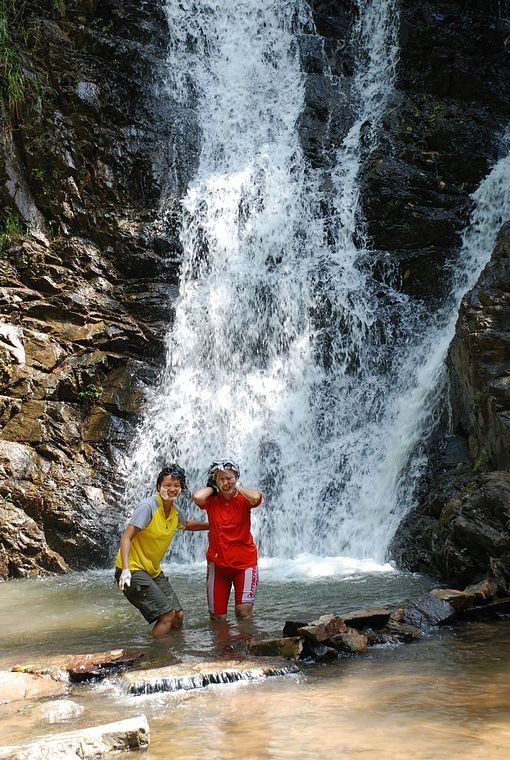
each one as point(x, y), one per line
point(152, 596)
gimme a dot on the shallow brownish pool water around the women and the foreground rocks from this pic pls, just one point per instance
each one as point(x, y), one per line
point(447, 695)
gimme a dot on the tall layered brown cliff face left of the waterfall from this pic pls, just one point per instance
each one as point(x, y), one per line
point(87, 297)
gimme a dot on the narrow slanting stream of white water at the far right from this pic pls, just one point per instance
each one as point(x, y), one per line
point(411, 414)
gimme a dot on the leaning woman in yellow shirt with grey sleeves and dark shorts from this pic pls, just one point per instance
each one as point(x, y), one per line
point(143, 545)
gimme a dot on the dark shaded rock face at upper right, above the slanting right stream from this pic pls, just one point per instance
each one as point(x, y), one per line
point(416, 181)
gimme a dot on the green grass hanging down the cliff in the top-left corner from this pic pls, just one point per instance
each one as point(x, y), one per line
point(12, 78)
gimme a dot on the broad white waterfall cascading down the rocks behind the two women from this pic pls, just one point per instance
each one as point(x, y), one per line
point(284, 354)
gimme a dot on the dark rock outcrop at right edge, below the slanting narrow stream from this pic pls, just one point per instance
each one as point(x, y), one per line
point(461, 531)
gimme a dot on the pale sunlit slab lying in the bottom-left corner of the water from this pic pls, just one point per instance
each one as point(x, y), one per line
point(95, 742)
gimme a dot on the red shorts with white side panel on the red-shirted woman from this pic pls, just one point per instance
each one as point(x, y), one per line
point(220, 581)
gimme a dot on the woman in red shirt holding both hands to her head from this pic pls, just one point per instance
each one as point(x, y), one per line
point(232, 554)
